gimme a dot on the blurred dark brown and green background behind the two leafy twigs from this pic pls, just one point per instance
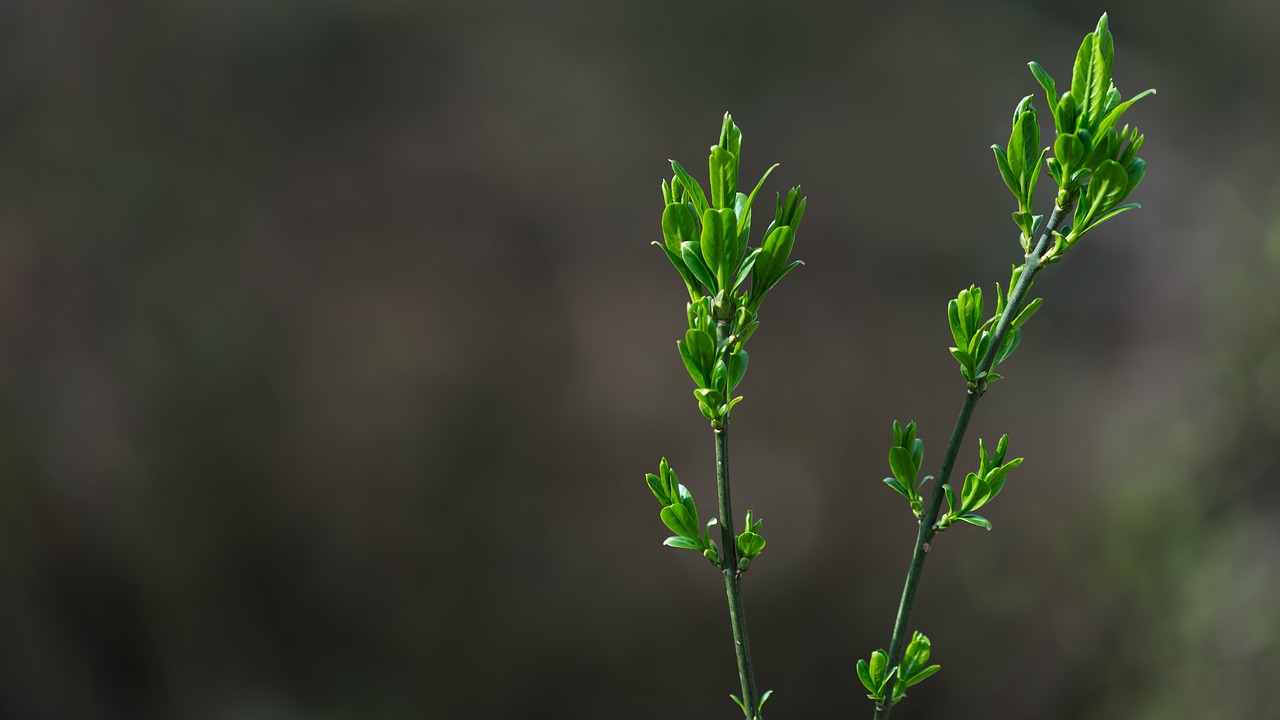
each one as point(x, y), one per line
point(333, 354)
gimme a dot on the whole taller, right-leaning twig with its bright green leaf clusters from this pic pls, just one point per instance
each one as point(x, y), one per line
point(1096, 168)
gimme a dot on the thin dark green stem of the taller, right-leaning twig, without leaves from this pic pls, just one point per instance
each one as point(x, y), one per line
point(929, 522)
